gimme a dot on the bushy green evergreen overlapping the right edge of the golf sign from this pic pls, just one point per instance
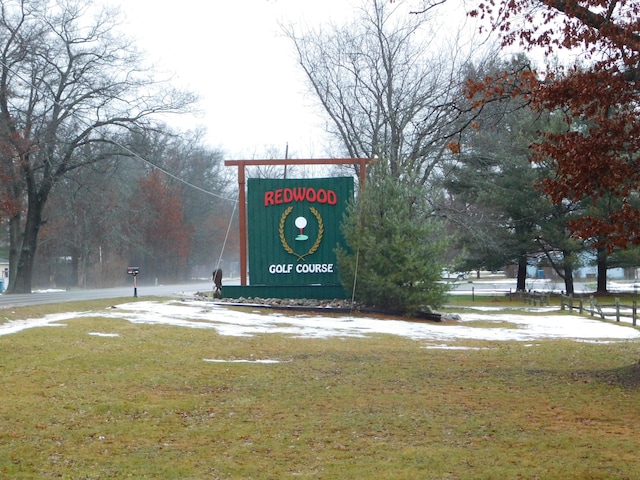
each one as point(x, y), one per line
point(396, 248)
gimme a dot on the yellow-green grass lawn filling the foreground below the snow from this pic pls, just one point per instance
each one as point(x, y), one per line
point(146, 404)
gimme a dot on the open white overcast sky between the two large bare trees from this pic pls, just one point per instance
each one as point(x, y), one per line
point(232, 54)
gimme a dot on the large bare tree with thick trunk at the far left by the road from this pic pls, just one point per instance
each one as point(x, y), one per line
point(69, 81)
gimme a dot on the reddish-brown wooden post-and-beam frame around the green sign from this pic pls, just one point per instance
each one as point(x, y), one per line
point(241, 164)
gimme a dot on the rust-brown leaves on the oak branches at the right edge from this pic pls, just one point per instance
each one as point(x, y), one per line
point(596, 156)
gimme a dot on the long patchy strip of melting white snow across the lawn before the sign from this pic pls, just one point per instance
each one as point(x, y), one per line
point(474, 325)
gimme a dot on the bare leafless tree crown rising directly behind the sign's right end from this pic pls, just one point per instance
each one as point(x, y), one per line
point(387, 84)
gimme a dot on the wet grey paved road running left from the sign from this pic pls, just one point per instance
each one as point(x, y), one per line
point(59, 296)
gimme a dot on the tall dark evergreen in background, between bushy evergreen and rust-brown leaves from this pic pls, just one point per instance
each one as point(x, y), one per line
point(494, 190)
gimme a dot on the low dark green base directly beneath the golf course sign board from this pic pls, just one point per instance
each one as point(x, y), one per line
point(319, 292)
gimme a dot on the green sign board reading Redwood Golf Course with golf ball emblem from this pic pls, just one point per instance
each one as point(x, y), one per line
point(294, 228)
